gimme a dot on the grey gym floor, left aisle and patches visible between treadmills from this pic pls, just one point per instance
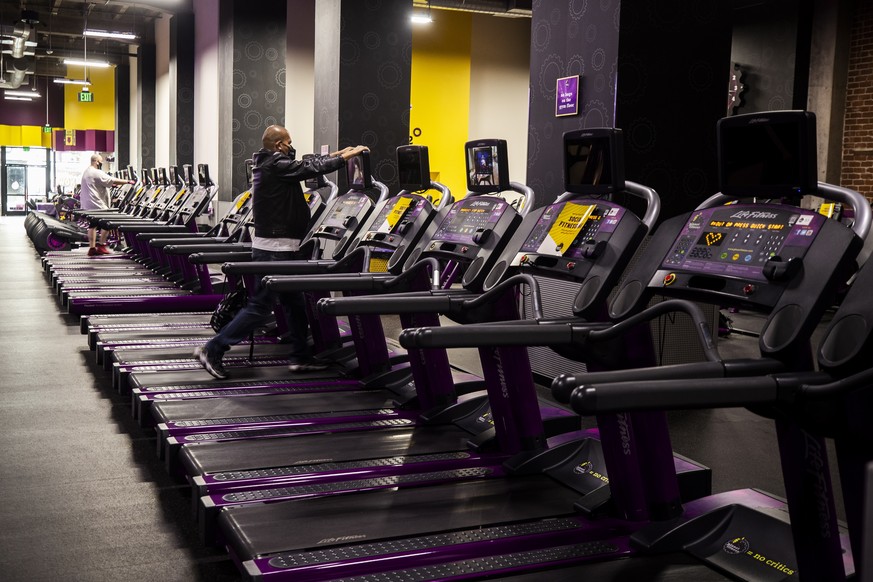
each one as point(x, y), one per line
point(84, 496)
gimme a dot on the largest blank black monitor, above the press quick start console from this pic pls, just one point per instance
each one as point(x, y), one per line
point(770, 154)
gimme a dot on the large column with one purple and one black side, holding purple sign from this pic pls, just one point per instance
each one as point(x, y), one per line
point(664, 84)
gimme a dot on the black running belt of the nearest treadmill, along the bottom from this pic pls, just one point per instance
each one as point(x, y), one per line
point(270, 528)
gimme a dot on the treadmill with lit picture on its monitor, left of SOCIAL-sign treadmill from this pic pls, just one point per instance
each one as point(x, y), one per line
point(276, 401)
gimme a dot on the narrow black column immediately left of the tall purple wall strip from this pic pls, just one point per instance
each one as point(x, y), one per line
point(182, 89)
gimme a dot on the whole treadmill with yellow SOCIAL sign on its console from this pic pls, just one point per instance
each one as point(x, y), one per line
point(449, 443)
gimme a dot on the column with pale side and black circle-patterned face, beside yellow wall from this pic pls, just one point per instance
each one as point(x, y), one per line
point(363, 60)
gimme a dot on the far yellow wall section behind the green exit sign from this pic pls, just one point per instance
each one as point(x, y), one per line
point(98, 114)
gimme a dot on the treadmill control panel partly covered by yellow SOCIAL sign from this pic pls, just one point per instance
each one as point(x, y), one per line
point(566, 227)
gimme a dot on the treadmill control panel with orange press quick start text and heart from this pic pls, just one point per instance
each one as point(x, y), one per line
point(737, 240)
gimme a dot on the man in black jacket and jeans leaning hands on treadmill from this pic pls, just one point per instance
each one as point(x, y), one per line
point(281, 221)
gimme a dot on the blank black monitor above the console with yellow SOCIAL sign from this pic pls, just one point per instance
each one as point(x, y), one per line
point(593, 161)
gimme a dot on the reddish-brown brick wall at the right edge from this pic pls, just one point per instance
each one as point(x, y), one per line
point(857, 167)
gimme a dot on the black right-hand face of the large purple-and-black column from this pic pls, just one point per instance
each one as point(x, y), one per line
point(673, 71)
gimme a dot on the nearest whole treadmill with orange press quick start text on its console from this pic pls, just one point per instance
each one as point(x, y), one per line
point(494, 527)
